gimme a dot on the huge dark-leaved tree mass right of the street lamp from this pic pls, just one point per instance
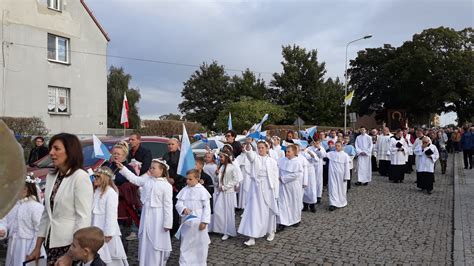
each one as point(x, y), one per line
point(431, 73)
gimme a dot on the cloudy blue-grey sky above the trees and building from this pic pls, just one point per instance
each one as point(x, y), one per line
point(249, 34)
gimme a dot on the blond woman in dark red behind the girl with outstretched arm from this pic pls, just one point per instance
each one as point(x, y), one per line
point(129, 201)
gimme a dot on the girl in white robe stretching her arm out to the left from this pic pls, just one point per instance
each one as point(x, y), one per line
point(157, 213)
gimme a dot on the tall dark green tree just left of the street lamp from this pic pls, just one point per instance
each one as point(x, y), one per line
point(301, 88)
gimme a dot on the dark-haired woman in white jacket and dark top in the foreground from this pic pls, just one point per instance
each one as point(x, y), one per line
point(68, 198)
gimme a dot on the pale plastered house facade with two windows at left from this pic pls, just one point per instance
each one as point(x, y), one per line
point(54, 65)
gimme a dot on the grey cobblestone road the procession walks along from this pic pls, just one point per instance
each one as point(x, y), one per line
point(384, 223)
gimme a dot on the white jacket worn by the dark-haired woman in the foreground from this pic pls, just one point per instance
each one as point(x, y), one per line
point(72, 208)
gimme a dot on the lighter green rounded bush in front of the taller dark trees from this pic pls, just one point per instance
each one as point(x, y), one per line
point(247, 112)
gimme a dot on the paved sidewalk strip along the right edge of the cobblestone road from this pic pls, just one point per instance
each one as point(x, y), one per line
point(463, 251)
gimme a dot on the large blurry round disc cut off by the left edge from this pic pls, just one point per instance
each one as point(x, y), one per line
point(12, 169)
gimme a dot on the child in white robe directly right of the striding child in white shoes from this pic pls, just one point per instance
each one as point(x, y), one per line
point(291, 192)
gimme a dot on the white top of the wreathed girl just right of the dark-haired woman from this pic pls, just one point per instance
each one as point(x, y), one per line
point(104, 212)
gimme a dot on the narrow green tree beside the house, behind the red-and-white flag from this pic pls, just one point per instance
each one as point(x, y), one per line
point(117, 85)
